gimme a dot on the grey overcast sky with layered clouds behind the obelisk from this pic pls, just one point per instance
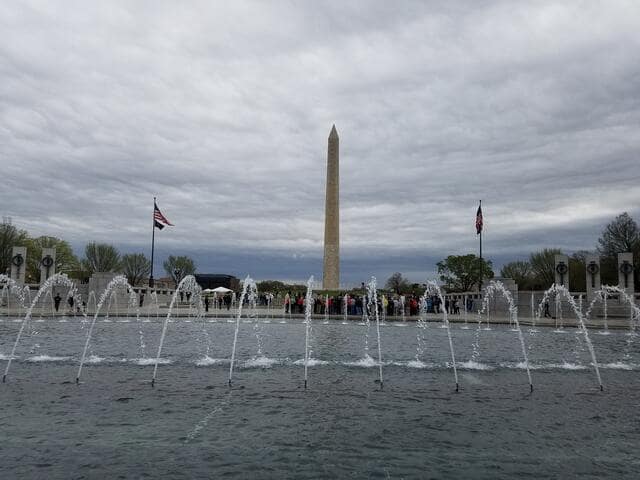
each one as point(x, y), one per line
point(222, 110)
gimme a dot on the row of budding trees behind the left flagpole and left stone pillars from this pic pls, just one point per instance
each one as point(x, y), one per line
point(98, 257)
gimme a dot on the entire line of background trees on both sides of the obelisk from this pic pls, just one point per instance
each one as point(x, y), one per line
point(458, 273)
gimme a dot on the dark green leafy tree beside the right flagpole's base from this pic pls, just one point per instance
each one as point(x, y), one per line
point(460, 273)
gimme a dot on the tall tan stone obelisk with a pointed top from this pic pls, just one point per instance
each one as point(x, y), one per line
point(331, 265)
